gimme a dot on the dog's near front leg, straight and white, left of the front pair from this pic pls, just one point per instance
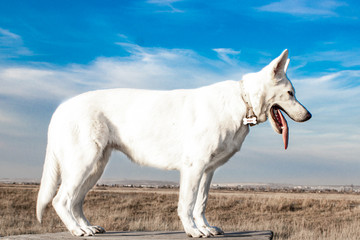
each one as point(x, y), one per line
point(190, 177)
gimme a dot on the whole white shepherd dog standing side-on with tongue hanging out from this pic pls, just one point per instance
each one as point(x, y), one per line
point(194, 131)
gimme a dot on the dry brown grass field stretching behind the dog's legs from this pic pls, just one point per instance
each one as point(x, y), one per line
point(289, 215)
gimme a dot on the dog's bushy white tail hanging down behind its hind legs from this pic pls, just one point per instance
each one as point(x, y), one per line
point(49, 182)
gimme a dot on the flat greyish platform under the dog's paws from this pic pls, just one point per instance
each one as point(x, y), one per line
point(251, 235)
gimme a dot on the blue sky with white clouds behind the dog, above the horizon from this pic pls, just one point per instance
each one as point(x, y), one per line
point(53, 50)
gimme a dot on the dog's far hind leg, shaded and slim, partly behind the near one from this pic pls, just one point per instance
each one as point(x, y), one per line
point(92, 179)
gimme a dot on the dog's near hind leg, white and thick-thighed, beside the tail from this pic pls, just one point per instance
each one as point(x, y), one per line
point(78, 165)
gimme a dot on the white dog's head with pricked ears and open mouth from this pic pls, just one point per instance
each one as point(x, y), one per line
point(270, 92)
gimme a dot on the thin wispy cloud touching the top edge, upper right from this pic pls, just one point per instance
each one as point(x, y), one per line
point(304, 7)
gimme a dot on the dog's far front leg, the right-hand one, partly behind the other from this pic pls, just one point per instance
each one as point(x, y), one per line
point(200, 206)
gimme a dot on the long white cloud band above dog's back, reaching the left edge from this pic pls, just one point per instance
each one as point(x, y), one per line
point(151, 68)
